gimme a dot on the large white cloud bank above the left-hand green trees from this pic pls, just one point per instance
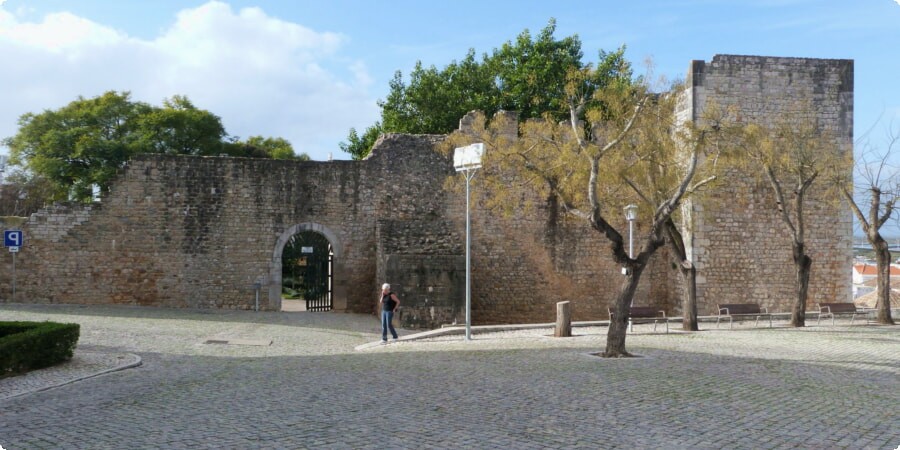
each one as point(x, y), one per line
point(262, 75)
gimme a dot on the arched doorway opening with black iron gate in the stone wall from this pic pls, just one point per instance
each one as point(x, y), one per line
point(308, 262)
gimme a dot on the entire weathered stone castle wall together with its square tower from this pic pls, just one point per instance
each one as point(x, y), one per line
point(199, 232)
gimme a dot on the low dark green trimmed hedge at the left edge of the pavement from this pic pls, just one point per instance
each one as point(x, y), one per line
point(28, 346)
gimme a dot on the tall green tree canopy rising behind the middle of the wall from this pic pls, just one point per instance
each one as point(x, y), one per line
point(528, 75)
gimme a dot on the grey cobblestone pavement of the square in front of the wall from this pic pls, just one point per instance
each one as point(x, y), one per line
point(817, 387)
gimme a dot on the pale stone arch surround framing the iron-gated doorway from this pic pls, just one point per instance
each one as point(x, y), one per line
point(339, 294)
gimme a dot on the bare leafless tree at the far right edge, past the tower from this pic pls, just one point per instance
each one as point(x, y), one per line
point(877, 185)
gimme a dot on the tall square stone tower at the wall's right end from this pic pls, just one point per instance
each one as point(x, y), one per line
point(740, 245)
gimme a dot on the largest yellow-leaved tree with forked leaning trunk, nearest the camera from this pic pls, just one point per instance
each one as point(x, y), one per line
point(619, 146)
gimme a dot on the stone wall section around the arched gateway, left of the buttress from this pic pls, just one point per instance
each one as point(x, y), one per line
point(197, 232)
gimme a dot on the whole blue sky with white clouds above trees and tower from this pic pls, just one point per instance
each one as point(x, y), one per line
point(309, 70)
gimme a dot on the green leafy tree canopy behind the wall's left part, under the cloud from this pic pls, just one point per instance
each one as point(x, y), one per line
point(87, 141)
